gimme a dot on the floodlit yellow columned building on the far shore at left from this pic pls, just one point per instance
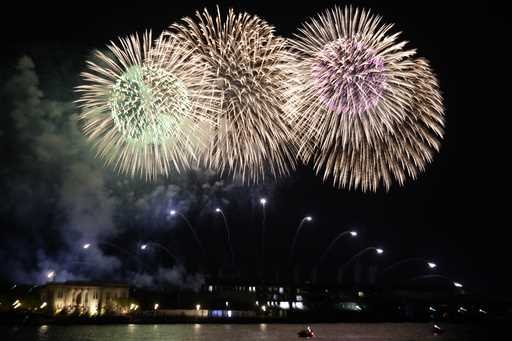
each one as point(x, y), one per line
point(90, 298)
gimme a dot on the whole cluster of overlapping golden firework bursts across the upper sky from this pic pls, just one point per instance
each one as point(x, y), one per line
point(229, 94)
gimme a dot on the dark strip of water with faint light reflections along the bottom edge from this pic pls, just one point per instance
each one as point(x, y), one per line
point(227, 332)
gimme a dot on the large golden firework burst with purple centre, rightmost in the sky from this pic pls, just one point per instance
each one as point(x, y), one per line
point(368, 111)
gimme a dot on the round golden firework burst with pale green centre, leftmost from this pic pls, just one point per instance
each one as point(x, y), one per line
point(140, 103)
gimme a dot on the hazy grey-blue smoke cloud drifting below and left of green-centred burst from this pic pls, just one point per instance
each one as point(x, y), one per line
point(58, 197)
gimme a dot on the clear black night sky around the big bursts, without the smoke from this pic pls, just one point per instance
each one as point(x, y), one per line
point(448, 214)
